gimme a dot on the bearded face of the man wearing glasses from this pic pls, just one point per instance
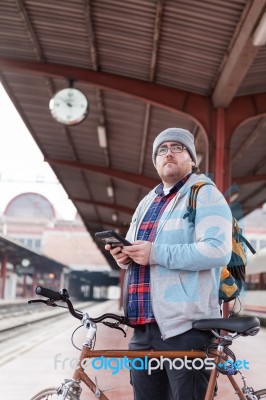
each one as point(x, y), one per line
point(172, 167)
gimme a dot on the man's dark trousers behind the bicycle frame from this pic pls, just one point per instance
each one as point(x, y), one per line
point(169, 383)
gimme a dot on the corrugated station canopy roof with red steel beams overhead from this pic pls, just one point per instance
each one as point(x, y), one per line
point(144, 66)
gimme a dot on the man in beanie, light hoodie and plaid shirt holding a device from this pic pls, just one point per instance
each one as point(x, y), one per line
point(173, 267)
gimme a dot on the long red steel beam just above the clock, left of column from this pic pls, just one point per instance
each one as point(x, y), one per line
point(175, 100)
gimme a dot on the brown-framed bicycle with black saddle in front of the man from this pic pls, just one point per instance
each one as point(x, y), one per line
point(223, 357)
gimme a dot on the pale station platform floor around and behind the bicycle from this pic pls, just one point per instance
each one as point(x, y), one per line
point(44, 357)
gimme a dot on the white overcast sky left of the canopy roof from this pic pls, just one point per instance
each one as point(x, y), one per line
point(22, 168)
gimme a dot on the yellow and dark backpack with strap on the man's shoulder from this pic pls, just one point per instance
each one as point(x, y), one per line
point(232, 279)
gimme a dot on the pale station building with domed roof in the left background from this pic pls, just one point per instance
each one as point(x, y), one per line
point(38, 248)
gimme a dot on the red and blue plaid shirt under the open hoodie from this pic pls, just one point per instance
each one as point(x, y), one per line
point(139, 296)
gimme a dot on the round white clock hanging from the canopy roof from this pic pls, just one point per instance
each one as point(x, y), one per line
point(69, 106)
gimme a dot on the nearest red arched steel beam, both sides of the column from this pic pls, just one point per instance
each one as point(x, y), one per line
point(198, 107)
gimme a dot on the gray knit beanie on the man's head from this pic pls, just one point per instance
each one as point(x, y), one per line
point(175, 135)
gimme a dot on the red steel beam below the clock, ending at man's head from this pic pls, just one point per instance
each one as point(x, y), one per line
point(115, 173)
